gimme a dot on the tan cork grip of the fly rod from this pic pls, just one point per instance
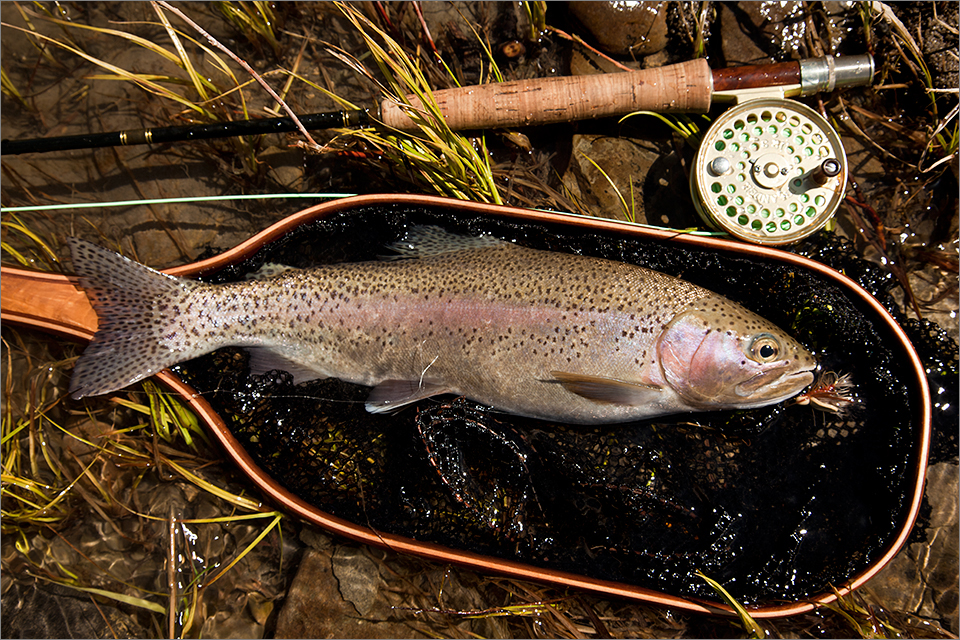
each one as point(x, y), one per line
point(687, 86)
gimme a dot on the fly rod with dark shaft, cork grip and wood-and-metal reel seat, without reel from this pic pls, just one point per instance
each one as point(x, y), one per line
point(685, 87)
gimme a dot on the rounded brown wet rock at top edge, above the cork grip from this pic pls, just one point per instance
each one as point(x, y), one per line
point(624, 28)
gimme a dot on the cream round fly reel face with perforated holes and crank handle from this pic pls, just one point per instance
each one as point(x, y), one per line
point(769, 171)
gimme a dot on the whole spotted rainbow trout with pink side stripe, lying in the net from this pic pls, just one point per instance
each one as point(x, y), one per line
point(541, 334)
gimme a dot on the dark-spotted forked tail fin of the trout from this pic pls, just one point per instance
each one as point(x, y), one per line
point(133, 303)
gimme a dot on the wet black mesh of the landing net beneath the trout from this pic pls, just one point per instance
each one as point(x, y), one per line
point(777, 503)
